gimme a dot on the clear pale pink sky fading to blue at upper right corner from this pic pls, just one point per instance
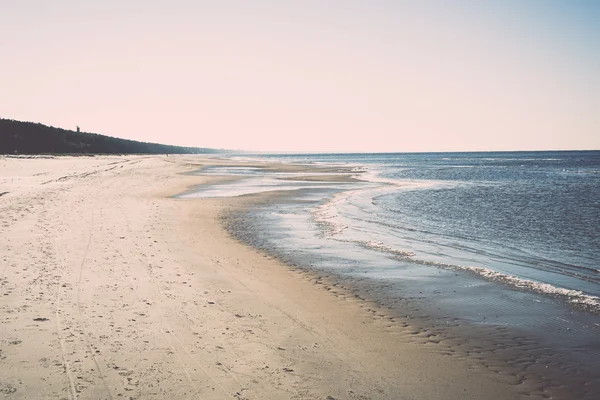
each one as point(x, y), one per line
point(327, 75)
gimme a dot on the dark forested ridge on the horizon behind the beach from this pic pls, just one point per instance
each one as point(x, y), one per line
point(18, 137)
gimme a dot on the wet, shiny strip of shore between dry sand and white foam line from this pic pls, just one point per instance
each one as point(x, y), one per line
point(553, 360)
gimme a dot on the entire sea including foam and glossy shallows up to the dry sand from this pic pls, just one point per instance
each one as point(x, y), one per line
point(496, 254)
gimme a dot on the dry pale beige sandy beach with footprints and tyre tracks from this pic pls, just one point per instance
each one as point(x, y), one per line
point(110, 288)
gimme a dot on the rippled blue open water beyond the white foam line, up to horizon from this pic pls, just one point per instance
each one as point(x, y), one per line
point(531, 215)
